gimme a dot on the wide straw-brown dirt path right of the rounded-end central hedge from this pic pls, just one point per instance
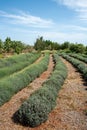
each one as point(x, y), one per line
point(71, 103)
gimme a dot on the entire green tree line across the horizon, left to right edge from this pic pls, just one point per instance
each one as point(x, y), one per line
point(12, 46)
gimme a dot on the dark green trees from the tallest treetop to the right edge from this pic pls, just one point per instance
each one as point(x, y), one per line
point(42, 44)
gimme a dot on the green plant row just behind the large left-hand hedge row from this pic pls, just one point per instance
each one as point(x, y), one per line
point(18, 66)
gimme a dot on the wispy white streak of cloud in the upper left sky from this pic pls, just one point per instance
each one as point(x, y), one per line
point(26, 19)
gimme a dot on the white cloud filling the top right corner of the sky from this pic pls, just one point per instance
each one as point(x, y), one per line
point(80, 6)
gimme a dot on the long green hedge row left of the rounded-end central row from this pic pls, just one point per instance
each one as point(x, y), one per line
point(14, 83)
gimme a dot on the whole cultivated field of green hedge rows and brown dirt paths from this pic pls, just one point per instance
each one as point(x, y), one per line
point(43, 91)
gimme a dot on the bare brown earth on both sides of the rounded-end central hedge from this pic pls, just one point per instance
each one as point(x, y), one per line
point(69, 113)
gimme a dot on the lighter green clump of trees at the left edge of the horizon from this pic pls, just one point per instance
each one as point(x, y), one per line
point(9, 46)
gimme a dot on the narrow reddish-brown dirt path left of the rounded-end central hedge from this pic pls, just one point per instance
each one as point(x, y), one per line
point(9, 108)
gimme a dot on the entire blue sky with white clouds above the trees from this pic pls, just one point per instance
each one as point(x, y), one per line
point(56, 20)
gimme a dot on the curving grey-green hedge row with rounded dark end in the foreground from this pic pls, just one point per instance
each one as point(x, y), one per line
point(36, 108)
